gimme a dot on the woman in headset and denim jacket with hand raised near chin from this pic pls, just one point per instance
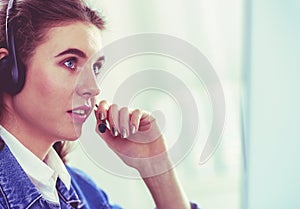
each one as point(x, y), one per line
point(48, 72)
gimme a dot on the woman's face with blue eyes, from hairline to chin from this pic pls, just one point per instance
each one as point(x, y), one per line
point(59, 93)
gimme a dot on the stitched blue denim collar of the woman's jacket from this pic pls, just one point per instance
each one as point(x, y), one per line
point(17, 188)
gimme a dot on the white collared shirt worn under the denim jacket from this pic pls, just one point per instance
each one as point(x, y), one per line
point(42, 174)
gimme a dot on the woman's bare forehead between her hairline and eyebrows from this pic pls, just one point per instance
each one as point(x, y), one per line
point(83, 36)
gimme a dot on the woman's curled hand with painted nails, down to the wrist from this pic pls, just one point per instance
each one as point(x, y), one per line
point(134, 136)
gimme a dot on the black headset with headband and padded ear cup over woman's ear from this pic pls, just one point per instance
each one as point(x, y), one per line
point(12, 70)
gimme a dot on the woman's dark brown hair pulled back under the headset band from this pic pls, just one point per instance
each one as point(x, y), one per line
point(32, 19)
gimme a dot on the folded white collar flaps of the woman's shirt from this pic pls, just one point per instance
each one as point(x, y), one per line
point(32, 165)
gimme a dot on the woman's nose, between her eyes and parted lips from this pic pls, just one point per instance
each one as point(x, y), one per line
point(87, 85)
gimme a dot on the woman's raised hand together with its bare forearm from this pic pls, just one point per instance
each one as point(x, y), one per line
point(135, 137)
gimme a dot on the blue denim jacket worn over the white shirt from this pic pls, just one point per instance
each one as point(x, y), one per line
point(18, 192)
